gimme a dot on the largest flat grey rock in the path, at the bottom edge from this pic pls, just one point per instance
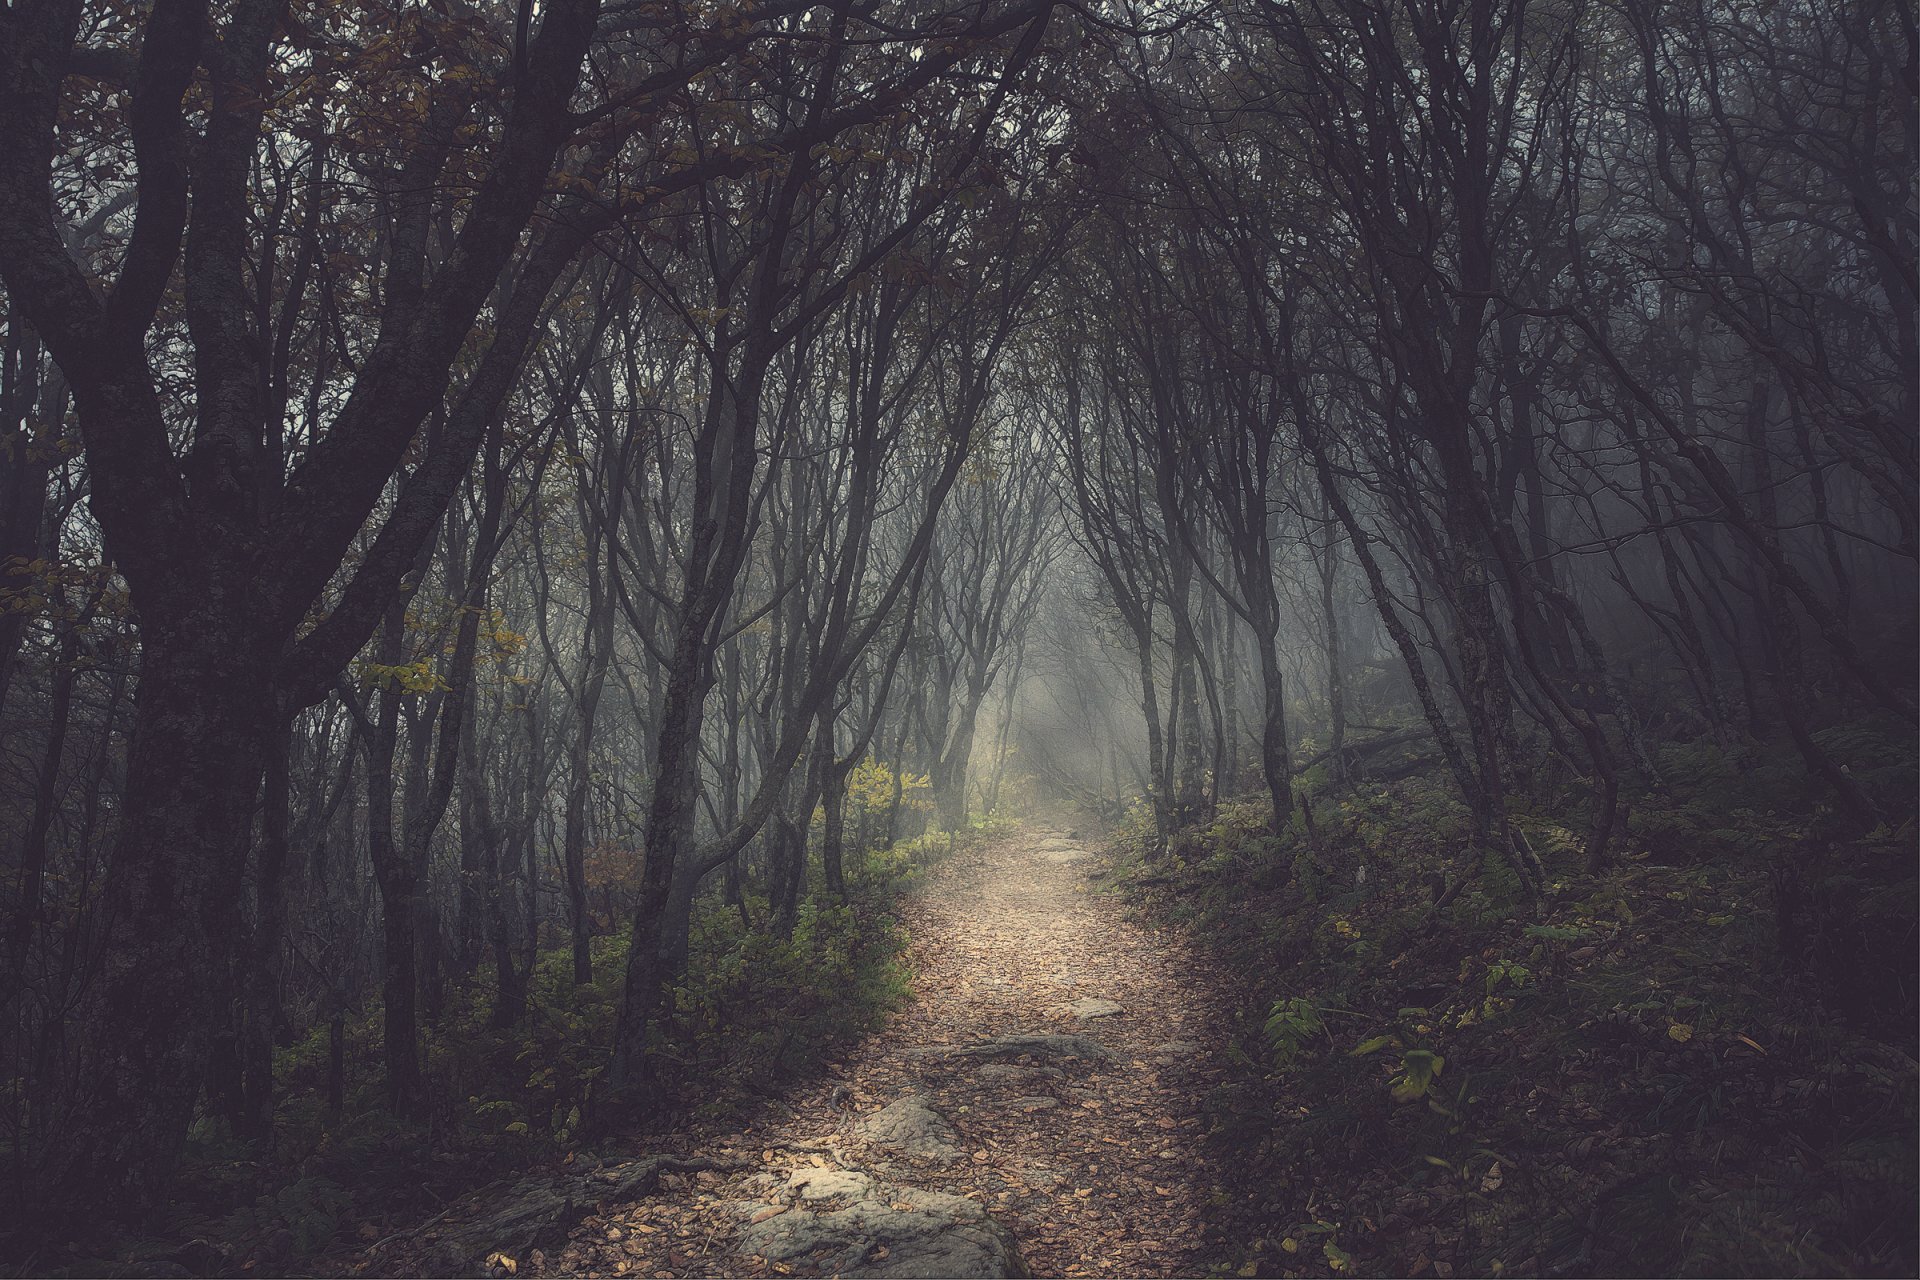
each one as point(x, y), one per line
point(884, 1231)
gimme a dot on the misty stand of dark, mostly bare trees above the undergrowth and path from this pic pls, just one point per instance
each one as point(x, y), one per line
point(487, 479)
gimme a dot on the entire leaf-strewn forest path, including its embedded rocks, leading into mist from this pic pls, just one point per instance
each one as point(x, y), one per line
point(1007, 1083)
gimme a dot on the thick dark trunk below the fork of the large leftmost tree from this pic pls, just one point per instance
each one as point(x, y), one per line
point(203, 724)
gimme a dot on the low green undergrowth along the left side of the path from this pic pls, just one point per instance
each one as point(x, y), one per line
point(504, 1102)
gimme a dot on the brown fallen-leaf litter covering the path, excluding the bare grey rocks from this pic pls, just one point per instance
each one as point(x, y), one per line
point(1099, 1170)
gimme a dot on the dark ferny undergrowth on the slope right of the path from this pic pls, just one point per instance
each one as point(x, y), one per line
point(1696, 1064)
